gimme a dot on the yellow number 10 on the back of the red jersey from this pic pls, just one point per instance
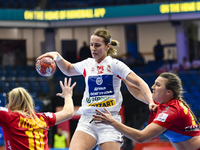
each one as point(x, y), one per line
point(35, 139)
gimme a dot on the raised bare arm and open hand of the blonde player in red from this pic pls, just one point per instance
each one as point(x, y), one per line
point(68, 108)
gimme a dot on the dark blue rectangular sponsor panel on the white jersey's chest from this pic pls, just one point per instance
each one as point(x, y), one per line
point(100, 85)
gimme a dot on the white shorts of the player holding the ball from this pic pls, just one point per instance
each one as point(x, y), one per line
point(101, 132)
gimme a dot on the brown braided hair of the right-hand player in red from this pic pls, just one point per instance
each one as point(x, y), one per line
point(174, 84)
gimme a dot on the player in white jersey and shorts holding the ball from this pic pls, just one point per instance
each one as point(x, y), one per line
point(103, 76)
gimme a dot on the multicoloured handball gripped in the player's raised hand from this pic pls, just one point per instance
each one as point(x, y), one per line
point(45, 66)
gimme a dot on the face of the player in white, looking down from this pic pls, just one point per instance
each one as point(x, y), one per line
point(98, 48)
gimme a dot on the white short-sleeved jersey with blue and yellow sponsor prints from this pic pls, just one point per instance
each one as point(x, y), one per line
point(103, 82)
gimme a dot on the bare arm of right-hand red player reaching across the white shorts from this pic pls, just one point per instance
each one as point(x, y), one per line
point(140, 136)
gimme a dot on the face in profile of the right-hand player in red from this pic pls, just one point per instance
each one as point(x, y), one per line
point(159, 90)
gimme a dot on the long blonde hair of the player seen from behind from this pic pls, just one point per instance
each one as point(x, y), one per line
point(19, 100)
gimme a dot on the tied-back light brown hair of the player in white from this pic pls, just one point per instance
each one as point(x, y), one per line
point(105, 34)
